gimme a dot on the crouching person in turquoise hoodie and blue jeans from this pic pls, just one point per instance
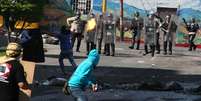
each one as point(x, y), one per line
point(82, 77)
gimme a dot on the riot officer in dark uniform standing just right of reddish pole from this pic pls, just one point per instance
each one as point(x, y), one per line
point(137, 25)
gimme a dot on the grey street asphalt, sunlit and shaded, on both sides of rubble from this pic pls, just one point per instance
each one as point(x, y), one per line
point(126, 67)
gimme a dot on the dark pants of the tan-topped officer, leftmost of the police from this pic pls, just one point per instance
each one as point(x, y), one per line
point(79, 39)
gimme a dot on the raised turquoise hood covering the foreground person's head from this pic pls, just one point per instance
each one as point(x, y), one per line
point(94, 56)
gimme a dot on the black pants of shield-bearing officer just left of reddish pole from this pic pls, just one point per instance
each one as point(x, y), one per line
point(107, 49)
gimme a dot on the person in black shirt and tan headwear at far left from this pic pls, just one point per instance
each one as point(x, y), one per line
point(12, 78)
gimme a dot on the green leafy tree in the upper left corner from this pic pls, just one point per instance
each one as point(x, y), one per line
point(25, 10)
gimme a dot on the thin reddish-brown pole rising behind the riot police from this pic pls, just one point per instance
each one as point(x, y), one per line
point(121, 21)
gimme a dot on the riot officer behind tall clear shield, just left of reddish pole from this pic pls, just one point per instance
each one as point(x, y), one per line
point(109, 35)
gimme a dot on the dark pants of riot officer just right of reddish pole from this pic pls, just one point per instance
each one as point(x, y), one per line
point(136, 37)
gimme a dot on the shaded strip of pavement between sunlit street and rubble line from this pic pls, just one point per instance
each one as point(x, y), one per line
point(116, 75)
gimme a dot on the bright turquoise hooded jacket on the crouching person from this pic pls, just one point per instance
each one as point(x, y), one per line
point(82, 76)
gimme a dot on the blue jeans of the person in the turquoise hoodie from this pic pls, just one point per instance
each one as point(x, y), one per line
point(78, 94)
